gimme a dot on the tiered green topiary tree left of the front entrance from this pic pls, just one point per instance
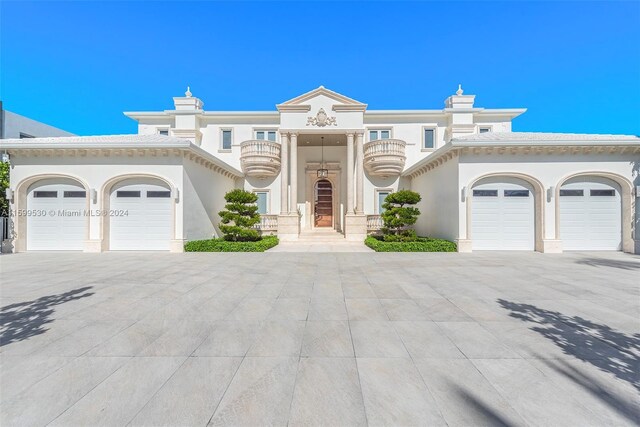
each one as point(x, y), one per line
point(239, 216)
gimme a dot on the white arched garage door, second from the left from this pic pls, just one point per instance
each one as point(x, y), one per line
point(140, 215)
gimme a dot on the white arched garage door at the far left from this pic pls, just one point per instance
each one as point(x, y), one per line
point(57, 219)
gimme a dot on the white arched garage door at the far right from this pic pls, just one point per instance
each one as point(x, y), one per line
point(590, 214)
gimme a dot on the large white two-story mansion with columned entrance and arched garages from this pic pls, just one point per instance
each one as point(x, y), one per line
point(324, 161)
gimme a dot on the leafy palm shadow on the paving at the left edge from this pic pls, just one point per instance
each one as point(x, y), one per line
point(23, 320)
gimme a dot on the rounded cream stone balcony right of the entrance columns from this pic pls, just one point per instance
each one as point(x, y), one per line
point(384, 157)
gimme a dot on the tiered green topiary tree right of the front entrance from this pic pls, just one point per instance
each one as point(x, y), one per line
point(399, 213)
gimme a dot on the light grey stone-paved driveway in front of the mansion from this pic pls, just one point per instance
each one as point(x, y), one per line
point(332, 339)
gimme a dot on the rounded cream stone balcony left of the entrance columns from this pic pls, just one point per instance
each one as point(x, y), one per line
point(260, 158)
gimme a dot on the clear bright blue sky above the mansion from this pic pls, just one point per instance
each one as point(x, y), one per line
point(79, 65)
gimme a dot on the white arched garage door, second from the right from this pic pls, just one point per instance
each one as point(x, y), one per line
point(502, 215)
